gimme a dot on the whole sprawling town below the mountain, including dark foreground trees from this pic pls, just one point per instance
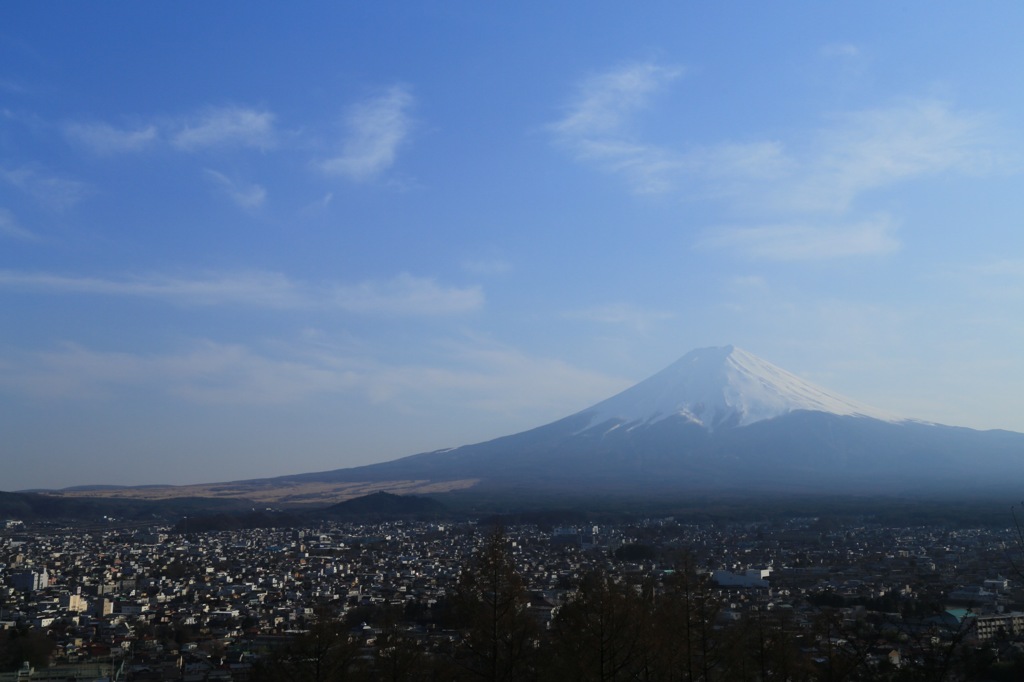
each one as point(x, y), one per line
point(827, 599)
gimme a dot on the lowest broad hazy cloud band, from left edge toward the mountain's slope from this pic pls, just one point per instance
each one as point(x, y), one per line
point(480, 377)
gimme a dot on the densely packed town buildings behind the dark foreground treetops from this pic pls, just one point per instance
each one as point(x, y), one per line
point(150, 605)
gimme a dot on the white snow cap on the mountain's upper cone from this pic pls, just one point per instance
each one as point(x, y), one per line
point(721, 387)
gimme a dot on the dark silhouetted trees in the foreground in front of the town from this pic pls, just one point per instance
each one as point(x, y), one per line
point(669, 629)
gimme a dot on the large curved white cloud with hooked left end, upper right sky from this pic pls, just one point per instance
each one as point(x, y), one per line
point(858, 153)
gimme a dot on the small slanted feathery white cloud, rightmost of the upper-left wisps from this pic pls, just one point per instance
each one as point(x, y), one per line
point(375, 131)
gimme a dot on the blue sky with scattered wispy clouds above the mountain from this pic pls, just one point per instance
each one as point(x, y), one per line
point(243, 240)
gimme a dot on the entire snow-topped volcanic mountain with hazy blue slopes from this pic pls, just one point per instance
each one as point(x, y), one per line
point(720, 419)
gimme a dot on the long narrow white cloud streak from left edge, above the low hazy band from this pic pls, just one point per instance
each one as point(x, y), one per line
point(403, 295)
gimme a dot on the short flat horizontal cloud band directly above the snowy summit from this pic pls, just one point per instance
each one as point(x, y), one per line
point(806, 242)
